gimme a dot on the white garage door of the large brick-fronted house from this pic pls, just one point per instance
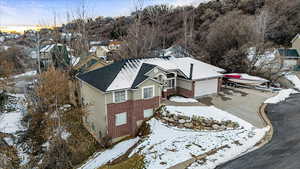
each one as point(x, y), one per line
point(206, 87)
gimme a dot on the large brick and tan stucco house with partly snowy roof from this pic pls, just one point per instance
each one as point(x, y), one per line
point(123, 94)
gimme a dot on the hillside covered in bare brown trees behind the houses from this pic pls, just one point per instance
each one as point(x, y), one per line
point(219, 32)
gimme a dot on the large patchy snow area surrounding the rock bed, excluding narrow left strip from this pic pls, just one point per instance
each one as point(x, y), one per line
point(167, 146)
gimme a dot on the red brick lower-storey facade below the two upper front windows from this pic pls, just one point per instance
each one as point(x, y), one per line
point(135, 112)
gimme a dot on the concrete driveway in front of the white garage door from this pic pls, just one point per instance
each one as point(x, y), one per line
point(243, 103)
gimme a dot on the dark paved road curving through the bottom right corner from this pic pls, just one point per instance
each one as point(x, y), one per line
point(283, 152)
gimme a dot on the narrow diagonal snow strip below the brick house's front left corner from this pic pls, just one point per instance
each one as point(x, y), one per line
point(102, 158)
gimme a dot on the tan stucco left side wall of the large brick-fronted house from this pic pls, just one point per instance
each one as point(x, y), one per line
point(96, 107)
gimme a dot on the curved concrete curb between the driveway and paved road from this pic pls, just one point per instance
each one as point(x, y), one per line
point(268, 136)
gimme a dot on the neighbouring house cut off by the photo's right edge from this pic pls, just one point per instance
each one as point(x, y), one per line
point(290, 58)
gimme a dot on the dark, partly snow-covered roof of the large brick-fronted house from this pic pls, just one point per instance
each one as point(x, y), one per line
point(129, 73)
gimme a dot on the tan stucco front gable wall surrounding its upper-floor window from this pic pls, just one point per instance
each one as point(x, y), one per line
point(137, 94)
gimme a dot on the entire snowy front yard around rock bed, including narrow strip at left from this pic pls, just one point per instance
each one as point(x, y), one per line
point(167, 145)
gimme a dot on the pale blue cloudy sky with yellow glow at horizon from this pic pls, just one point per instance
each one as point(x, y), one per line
point(42, 12)
